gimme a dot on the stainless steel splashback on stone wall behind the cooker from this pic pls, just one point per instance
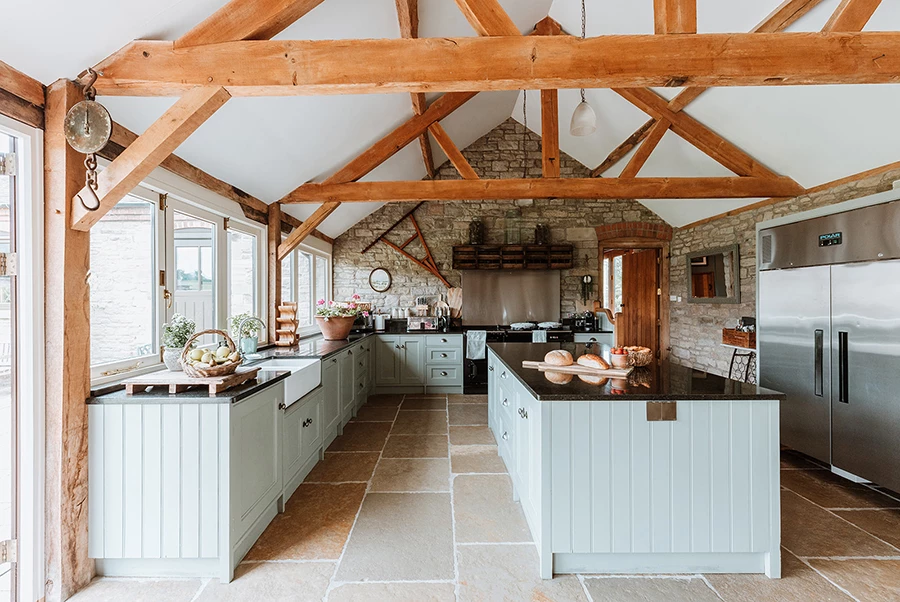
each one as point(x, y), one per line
point(498, 297)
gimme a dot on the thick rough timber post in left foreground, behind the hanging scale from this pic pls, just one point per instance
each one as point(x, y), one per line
point(68, 335)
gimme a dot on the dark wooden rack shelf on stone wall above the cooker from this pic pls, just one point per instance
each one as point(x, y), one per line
point(513, 257)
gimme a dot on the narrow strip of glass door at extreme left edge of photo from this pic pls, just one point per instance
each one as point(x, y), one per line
point(8, 385)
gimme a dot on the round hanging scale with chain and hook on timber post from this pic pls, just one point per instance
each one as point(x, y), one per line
point(88, 128)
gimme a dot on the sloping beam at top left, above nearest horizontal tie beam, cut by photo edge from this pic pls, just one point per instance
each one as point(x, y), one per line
point(247, 20)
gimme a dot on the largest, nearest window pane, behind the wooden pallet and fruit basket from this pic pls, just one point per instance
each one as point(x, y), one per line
point(122, 283)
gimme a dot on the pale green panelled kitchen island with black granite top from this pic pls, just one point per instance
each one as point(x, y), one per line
point(671, 470)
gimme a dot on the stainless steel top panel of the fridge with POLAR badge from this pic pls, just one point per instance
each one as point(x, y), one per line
point(866, 234)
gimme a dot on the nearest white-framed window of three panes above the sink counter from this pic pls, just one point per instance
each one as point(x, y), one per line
point(148, 264)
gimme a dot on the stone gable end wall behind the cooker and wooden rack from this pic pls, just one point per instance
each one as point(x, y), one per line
point(444, 224)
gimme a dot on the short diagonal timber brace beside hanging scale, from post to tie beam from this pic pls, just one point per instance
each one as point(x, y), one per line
point(147, 152)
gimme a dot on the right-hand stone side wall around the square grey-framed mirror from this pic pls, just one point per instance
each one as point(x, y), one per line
point(696, 329)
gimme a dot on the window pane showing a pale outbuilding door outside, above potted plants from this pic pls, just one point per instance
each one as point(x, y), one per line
point(195, 270)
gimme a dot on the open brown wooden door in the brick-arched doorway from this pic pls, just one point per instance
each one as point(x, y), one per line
point(640, 299)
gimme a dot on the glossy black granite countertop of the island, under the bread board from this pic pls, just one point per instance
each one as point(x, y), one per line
point(661, 381)
